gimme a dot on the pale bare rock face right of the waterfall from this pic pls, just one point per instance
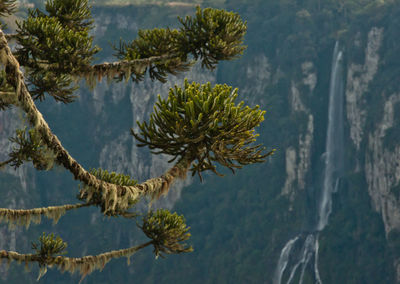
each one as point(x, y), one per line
point(381, 163)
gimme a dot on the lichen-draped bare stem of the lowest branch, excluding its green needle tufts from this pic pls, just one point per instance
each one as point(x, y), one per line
point(84, 265)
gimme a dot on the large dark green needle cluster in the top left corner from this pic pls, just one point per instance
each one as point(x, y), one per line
point(55, 46)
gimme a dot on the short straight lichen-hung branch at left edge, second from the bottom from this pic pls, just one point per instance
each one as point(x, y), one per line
point(23, 217)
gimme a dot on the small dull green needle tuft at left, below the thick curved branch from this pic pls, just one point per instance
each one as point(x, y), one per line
point(30, 147)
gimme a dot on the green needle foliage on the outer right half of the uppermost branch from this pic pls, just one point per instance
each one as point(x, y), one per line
point(212, 35)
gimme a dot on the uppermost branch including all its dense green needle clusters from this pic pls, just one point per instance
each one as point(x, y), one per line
point(56, 50)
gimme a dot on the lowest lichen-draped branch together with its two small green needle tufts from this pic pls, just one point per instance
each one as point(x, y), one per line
point(167, 232)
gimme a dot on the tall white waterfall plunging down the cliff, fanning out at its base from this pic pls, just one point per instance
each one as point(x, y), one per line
point(333, 169)
